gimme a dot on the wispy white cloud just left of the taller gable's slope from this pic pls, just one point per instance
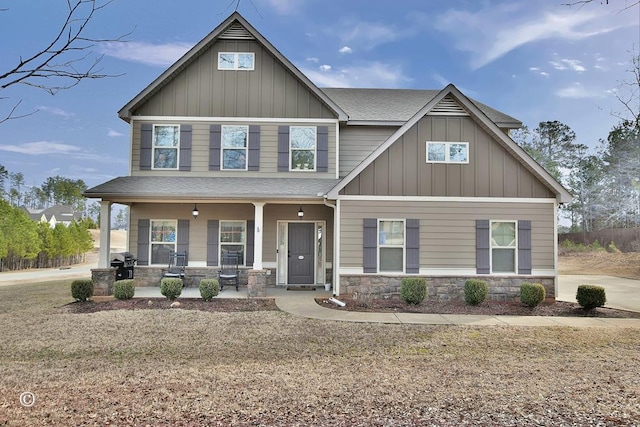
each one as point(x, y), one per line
point(146, 53)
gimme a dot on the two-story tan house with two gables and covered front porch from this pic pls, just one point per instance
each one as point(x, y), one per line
point(354, 187)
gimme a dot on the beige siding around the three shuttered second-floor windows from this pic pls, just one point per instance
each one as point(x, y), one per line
point(200, 137)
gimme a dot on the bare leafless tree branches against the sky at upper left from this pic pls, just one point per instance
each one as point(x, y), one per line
point(63, 62)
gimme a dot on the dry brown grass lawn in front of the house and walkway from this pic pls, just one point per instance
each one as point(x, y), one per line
point(192, 368)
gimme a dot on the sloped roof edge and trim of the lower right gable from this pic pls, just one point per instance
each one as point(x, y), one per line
point(562, 195)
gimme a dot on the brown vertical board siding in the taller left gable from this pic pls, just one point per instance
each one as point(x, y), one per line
point(201, 90)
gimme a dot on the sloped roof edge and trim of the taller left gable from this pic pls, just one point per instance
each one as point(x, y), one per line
point(235, 26)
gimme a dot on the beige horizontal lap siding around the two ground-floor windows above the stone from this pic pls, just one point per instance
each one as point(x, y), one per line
point(447, 229)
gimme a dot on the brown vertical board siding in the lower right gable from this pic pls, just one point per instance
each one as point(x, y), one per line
point(402, 169)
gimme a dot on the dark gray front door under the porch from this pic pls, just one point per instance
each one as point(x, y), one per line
point(301, 253)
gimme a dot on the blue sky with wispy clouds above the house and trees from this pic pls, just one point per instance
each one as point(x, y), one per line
point(534, 60)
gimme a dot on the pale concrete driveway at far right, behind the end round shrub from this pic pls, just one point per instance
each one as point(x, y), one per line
point(621, 293)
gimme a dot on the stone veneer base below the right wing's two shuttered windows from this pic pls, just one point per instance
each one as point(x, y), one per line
point(442, 288)
